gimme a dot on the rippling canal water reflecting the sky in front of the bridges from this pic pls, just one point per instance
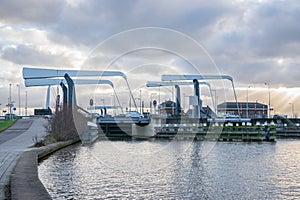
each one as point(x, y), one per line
point(161, 169)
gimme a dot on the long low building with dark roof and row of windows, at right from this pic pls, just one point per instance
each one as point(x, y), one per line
point(251, 109)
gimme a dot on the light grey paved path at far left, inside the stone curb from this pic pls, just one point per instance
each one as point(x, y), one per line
point(13, 142)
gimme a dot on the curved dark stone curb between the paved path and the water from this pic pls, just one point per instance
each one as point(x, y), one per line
point(24, 180)
